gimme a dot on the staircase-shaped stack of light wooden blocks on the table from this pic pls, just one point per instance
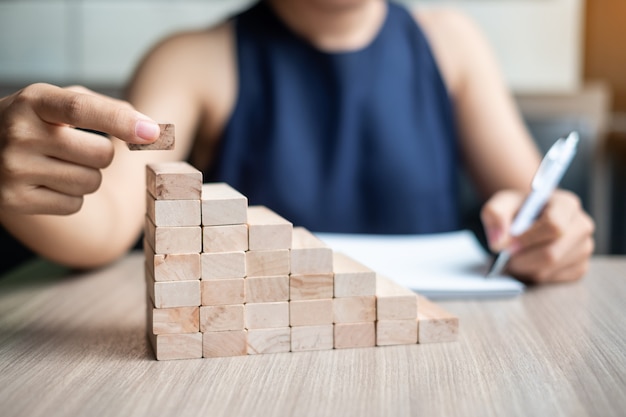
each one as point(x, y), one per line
point(228, 279)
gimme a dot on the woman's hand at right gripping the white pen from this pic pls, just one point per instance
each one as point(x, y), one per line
point(556, 248)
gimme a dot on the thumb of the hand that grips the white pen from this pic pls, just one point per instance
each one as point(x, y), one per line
point(497, 215)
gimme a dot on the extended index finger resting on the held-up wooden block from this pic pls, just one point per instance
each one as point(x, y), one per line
point(89, 111)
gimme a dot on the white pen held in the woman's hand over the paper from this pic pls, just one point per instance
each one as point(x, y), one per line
point(548, 176)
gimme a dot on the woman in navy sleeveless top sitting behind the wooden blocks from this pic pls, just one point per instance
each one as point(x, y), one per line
point(341, 115)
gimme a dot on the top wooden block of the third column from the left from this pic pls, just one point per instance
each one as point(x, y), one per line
point(267, 230)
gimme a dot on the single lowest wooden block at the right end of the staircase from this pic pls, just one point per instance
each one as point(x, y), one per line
point(434, 323)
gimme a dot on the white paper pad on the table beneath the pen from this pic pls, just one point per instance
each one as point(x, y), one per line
point(440, 266)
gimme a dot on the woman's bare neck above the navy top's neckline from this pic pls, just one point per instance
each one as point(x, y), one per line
point(333, 25)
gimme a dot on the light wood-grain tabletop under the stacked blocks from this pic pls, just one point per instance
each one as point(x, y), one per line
point(75, 345)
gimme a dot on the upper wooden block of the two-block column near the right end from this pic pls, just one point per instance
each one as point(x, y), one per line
point(393, 301)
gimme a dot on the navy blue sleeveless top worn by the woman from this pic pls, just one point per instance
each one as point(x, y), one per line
point(350, 142)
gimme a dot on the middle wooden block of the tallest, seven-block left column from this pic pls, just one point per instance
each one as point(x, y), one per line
point(172, 267)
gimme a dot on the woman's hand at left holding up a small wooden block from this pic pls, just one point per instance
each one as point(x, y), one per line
point(46, 165)
